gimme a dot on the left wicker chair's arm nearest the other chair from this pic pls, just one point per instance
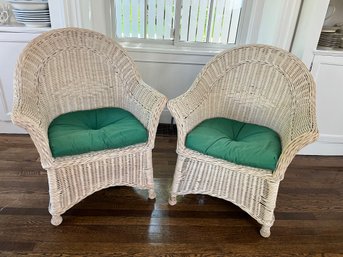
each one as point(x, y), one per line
point(146, 104)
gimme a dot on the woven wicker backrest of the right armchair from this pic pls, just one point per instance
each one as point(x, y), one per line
point(260, 85)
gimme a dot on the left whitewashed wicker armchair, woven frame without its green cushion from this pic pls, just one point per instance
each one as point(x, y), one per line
point(71, 69)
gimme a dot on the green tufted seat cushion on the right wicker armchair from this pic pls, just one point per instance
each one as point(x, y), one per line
point(238, 142)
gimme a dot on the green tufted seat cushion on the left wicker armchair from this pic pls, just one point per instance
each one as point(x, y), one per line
point(94, 130)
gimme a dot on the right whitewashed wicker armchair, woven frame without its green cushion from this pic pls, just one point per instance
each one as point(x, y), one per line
point(255, 84)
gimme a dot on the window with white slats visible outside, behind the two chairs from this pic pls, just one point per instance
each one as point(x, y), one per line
point(178, 21)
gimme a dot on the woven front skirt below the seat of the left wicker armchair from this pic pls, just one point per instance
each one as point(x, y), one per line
point(69, 185)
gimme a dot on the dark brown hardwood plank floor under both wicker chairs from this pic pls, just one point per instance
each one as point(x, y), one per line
point(121, 221)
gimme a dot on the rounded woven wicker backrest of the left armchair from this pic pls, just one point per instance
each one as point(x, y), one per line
point(71, 70)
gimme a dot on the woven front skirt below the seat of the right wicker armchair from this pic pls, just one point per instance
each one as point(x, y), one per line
point(254, 194)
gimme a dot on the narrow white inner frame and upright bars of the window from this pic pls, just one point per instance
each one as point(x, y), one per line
point(241, 36)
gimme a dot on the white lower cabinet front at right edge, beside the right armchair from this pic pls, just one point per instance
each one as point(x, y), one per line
point(328, 74)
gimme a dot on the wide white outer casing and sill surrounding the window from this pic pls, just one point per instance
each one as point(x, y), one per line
point(254, 26)
